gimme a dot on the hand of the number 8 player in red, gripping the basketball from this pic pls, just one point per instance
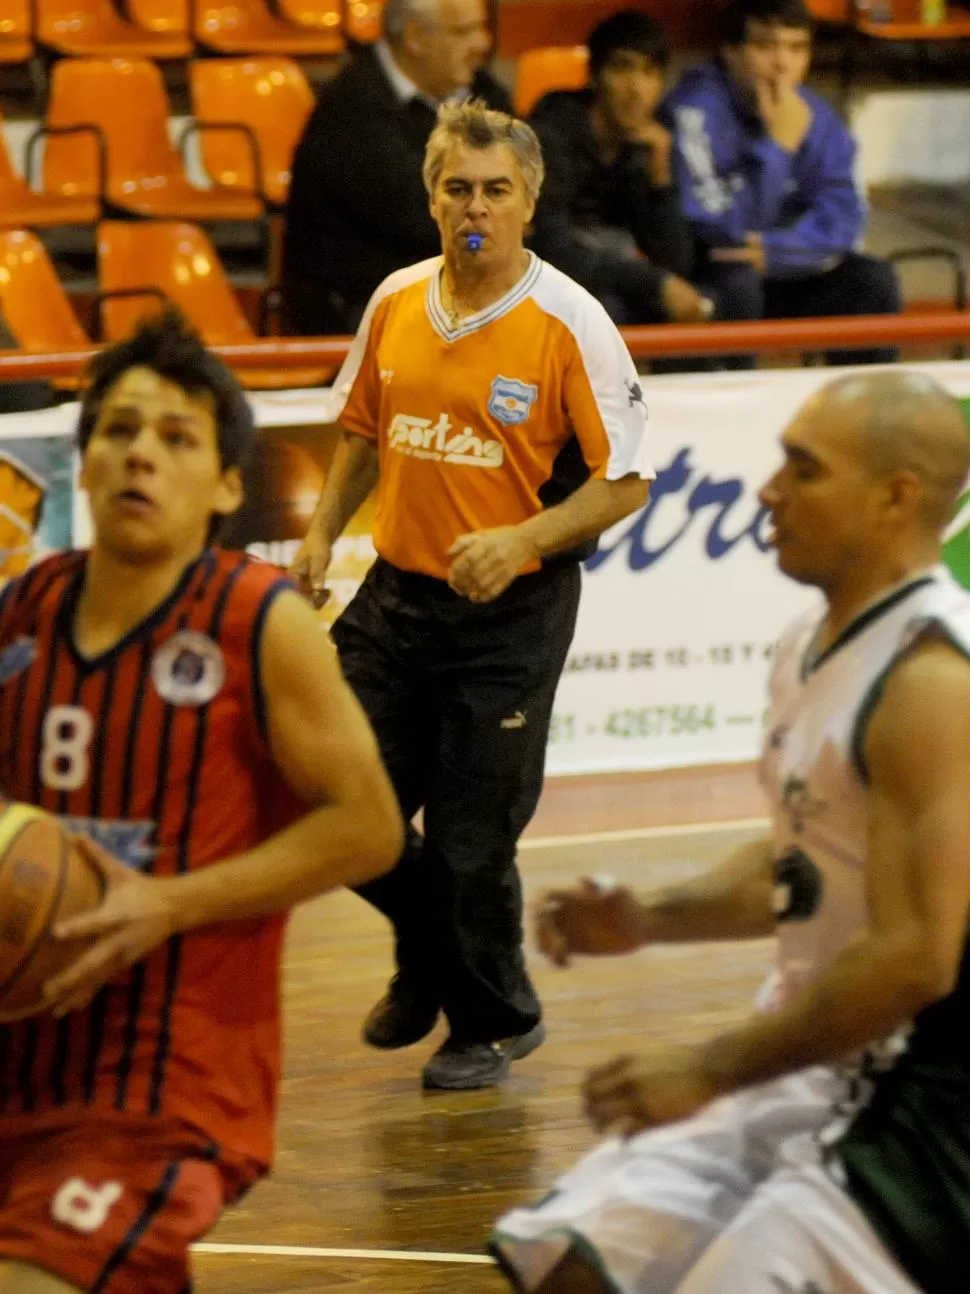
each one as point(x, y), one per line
point(135, 917)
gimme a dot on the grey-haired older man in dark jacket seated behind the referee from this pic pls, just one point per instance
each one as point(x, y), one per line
point(358, 208)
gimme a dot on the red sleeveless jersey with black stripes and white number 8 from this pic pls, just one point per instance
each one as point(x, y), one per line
point(158, 750)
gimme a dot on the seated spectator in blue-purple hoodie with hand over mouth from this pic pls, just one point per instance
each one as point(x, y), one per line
point(765, 169)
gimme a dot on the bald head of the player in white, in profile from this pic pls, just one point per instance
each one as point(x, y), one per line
point(874, 466)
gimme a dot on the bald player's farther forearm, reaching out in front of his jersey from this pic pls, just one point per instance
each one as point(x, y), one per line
point(733, 903)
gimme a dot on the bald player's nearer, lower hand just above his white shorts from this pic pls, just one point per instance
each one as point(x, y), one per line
point(658, 1086)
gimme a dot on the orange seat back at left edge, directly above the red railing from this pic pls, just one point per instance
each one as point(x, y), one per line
point(36, 303)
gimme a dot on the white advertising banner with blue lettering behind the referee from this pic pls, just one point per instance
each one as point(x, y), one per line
point(684, 604)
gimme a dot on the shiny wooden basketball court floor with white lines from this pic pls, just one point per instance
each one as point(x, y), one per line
point(385, 1190)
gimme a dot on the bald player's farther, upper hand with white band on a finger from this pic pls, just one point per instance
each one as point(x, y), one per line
point(593, 919)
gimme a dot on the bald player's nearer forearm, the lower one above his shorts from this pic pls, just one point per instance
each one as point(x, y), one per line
point(872, 989)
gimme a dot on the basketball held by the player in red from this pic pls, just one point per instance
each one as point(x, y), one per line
point(43, 881)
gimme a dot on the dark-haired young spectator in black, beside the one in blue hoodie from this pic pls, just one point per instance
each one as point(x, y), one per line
point(610, 215)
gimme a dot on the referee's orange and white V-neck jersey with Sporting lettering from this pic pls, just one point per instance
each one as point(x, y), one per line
point(471, 421)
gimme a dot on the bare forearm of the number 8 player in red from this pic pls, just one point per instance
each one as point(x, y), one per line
point(329, 848)
